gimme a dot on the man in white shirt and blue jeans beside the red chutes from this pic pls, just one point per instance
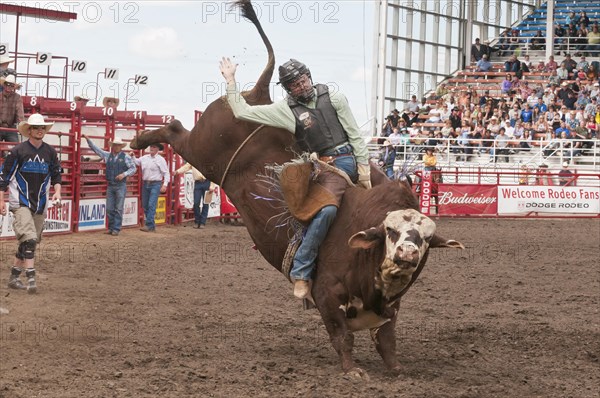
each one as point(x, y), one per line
point(156, 177)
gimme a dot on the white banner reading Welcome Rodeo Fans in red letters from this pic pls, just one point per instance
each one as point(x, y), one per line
point(548, 199)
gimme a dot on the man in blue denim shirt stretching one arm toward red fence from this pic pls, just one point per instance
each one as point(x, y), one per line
point(119, 166)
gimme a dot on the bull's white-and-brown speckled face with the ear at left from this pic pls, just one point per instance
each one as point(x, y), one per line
point(406, 235)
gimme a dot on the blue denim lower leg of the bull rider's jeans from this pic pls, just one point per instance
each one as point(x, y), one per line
point(304, 260)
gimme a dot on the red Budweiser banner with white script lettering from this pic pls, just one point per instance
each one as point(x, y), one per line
point(458, 199)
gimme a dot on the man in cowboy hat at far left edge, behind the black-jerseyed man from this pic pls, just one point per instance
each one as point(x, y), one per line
point(11, 110)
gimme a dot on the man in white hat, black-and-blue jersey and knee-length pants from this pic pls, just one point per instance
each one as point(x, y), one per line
point(29, 170)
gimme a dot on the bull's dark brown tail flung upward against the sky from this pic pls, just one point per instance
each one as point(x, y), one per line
point(260, 92)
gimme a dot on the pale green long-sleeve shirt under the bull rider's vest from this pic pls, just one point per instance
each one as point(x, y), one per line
point(280, 115)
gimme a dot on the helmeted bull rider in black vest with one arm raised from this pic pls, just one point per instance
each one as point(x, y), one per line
point(323, 123)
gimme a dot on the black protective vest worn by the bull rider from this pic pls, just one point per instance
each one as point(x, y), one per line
point(319, 129)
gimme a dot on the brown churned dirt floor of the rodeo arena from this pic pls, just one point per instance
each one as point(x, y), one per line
point(197, 313)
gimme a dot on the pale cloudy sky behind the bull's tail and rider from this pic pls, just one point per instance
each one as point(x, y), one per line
point(178, 45)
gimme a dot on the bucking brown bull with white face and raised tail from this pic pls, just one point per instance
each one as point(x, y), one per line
point(353, 289)
